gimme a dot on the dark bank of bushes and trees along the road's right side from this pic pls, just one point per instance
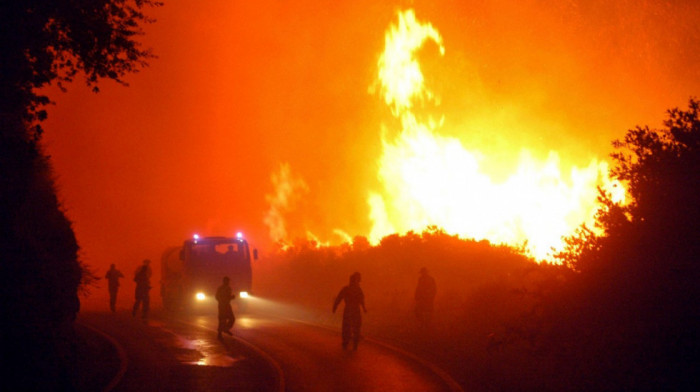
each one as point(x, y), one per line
point(620, 311)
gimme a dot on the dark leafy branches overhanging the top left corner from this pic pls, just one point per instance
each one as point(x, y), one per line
point(45, 41)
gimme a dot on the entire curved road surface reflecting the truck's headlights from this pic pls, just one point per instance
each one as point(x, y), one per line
point(266, 353)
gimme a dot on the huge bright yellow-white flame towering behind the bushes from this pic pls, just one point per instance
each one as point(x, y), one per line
point(429, 179)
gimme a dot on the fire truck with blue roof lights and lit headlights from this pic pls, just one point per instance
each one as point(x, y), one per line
point(191, 273)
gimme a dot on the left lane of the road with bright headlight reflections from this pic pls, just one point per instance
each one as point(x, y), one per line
point(162, 354)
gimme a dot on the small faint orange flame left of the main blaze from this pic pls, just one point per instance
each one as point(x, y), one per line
point(288, 189)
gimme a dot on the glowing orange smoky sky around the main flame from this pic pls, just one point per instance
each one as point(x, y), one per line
point(241, 89)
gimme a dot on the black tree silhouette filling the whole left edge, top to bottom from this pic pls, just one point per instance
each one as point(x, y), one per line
point(46, 41)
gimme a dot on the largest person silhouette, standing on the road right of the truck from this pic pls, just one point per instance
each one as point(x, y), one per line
point(352, 317)
